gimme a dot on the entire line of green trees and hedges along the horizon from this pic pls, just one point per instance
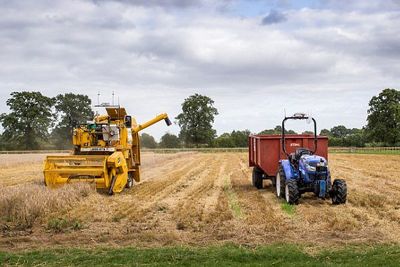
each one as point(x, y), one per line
point(36, 121)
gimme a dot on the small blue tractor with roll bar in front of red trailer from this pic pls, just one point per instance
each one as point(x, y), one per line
point(304, 171)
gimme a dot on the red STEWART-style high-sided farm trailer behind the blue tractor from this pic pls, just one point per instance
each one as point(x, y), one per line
point(265, 151)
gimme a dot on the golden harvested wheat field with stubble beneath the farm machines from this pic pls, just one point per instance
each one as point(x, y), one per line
point(196, 199)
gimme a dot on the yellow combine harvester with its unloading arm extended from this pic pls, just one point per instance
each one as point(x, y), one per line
point(106, 151)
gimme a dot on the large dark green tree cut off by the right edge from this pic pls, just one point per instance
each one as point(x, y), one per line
point(384, 117)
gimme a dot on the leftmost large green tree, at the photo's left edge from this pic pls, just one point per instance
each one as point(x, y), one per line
point(29, 120)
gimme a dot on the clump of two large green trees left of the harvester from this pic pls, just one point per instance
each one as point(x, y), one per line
point(36, 121)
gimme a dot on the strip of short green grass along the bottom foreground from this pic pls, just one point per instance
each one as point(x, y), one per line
point(227, 255)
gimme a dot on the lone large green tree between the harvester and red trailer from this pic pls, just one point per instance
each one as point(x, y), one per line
point(196, 120)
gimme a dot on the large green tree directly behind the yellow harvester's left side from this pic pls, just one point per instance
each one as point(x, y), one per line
point(71, 109)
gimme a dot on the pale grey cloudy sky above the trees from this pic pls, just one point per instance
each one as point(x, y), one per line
point(255, 58)
